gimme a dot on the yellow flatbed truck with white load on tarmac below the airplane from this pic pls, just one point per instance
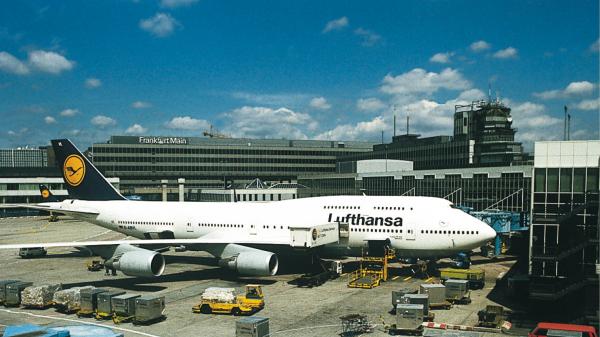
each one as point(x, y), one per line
point(224, 301)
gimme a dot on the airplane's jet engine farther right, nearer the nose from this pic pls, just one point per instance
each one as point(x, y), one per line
point(250, 261)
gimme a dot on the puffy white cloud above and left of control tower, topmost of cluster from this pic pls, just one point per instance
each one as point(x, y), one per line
point(418, 81)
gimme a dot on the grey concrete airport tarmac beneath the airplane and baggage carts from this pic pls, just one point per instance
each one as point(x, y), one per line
point(292, 311)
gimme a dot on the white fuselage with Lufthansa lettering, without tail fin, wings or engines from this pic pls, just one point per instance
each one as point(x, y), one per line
point(414, 226)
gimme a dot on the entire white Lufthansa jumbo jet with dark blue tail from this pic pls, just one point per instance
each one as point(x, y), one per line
point(246, 237)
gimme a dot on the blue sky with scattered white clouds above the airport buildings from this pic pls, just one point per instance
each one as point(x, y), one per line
point(305, 69)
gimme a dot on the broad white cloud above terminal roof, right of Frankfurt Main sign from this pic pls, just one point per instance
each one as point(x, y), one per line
point(264, 122)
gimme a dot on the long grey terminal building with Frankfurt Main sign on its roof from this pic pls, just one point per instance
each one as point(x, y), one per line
point(144, 163)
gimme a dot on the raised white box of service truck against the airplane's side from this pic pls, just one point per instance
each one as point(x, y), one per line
point(314, 236)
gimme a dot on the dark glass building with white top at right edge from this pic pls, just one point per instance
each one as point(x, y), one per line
point(564, 251)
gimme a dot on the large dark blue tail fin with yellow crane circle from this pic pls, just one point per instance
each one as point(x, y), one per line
point(82, 179)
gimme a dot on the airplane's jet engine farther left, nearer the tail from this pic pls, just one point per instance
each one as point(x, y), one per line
point(135, 261)
